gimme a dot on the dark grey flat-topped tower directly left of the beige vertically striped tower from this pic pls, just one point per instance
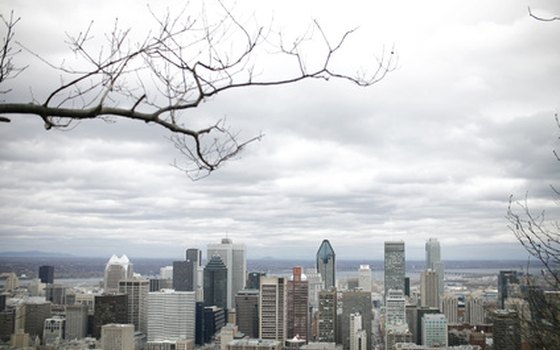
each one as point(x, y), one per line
point(247, 312)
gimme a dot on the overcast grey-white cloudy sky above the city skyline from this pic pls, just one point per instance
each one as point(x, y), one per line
point(433, 150)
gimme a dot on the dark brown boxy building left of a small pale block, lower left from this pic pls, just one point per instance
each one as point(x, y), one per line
point(32, 316)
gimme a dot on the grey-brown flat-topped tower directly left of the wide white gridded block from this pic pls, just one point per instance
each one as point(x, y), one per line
point(137, 292)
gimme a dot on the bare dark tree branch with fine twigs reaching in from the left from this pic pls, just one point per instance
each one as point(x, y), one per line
point(184, 62)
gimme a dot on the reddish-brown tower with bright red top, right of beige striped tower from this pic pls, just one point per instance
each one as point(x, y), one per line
point(298, 305)
